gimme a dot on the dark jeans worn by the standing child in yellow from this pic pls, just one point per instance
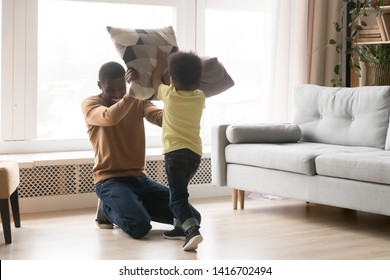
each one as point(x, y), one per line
point(181, 165)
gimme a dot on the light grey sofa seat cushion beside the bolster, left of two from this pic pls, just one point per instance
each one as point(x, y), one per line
point(293, 157)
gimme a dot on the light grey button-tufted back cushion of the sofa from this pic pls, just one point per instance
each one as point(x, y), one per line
point(344, 116)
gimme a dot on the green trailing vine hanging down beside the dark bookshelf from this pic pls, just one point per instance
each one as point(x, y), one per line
point(357, 11)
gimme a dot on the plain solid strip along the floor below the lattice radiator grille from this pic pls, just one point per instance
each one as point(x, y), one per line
point(88, 200)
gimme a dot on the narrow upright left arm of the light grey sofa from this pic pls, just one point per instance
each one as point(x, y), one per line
point(218, 159)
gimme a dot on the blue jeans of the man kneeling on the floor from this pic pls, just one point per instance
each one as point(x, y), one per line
point(132, 203)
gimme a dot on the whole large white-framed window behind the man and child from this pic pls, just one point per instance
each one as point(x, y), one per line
point(58, 46)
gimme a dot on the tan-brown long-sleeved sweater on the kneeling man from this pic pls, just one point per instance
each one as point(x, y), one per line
point(117, 135)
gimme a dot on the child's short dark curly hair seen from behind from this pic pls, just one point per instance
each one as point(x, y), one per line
point(185, 68)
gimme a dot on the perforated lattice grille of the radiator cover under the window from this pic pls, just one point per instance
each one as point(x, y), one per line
point(54, 180)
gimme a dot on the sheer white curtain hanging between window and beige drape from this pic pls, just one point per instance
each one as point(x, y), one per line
point(290, 56)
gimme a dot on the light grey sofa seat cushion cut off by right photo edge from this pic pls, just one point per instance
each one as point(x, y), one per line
point(366, 166)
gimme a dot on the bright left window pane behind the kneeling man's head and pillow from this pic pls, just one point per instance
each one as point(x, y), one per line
point(70, 53)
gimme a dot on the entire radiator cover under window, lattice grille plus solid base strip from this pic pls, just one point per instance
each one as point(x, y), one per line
point(70, 185)
